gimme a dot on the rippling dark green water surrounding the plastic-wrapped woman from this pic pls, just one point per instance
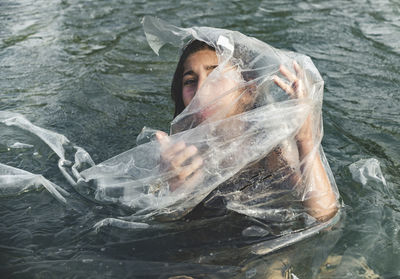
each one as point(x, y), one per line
point(84, 70)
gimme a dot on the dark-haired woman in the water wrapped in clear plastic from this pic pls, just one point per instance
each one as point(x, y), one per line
point(213, 103)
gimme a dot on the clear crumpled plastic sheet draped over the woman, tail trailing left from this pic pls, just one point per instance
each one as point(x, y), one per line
point(237, 150)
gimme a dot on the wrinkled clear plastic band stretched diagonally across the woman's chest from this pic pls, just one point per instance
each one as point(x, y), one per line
point(220, 156)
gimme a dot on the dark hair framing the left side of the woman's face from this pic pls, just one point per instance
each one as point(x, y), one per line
point(176, 86)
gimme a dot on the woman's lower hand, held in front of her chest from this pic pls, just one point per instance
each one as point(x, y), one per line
point(181, 160)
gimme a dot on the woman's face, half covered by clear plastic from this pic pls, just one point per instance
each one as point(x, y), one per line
point(212, 97)
